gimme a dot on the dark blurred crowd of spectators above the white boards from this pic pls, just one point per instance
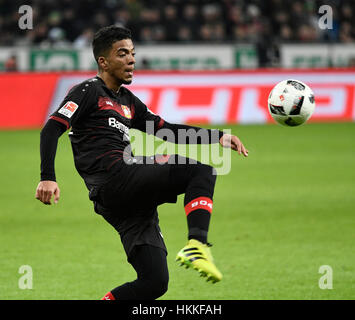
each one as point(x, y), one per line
point(265, 23)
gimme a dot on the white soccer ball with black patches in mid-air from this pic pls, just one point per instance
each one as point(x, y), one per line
point(291, 102)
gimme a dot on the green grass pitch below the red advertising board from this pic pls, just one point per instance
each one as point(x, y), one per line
point(279, 215)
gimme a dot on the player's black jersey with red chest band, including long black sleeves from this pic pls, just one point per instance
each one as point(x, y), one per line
point(100, 120)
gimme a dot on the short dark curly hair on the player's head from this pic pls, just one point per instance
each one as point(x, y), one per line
point(106, 36)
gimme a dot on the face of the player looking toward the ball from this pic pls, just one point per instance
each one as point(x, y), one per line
point(120, 61)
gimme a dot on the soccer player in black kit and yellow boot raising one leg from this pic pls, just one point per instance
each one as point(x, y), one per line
point(126, 189)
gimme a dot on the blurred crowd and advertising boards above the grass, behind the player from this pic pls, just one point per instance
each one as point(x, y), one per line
point(256, 42)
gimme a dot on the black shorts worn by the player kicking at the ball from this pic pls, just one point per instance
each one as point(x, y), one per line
point(130, 199)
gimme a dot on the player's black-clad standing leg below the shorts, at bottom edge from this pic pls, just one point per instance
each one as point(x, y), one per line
point(152, 276)
